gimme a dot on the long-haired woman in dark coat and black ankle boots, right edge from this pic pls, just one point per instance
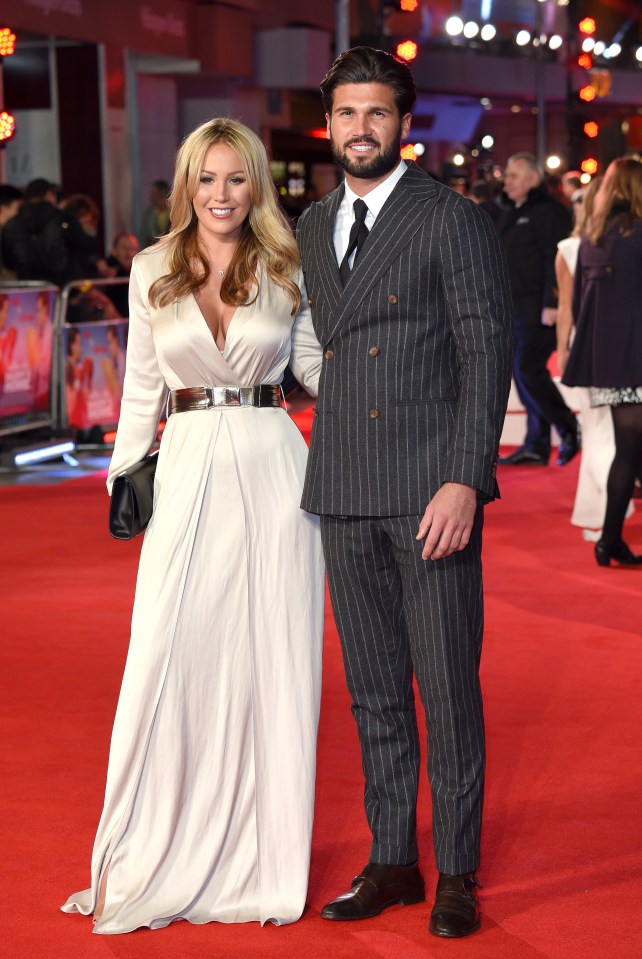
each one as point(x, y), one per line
point(606, 354)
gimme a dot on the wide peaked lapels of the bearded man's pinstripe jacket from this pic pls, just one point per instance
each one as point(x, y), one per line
point(403, 213)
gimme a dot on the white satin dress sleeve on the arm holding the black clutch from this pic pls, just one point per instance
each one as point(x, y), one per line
point(143, 388)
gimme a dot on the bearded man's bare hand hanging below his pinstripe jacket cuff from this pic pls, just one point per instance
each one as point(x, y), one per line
point(448, 521)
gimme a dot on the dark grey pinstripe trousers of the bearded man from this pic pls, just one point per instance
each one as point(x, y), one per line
point(398, 614)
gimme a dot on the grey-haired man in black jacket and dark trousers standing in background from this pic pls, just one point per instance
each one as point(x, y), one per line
point(531, 229)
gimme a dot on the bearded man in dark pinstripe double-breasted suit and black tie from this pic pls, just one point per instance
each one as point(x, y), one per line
point(411, 303)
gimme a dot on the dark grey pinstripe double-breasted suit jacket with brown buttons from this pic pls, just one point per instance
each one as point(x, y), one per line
point(417, 353)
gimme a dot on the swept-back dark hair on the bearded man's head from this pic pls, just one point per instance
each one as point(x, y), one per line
point(368, 65)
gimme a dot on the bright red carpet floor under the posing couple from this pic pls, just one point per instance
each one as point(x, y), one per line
point(562, 846)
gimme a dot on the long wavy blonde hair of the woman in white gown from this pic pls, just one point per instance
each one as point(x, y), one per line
point(266, 238)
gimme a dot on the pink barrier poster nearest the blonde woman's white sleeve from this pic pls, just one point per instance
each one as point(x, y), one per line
point(94, 369)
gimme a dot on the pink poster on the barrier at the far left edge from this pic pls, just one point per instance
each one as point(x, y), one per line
point(26, 337)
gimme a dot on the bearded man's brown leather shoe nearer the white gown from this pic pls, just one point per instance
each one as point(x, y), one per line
point(375, 888)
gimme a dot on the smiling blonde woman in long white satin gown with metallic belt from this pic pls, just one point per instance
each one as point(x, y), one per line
point(210, 787)
